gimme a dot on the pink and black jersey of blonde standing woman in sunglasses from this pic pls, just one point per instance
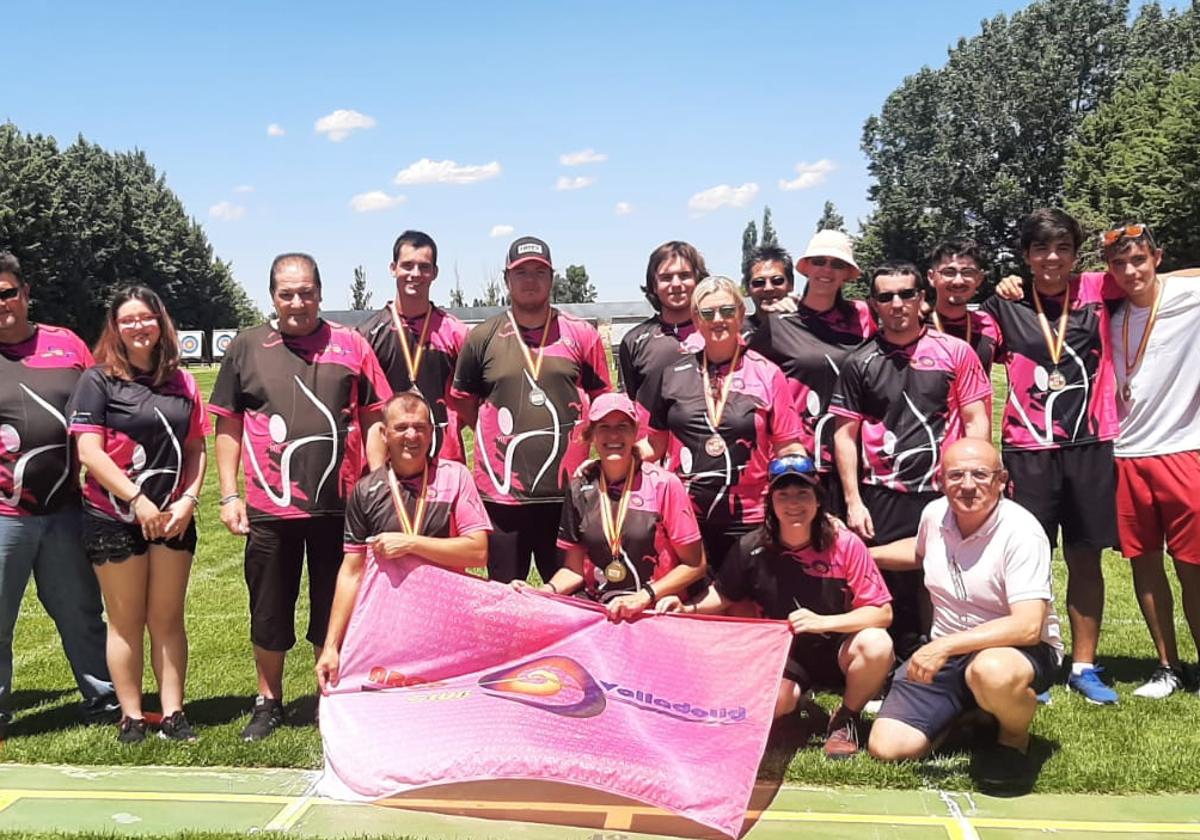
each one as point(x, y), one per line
point(758, 417)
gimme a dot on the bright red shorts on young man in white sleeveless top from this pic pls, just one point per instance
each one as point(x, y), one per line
point(1159, 501)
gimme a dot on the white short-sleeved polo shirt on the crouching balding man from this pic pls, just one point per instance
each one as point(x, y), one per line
point(977, 579)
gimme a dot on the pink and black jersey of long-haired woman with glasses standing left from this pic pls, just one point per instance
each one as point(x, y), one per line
point(145, 429)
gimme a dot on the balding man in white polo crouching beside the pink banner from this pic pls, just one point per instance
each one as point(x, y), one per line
point(995, 635)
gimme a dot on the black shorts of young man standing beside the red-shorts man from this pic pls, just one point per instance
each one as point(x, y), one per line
point(1073, 488)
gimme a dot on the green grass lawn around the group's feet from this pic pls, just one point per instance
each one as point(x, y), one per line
point(1137, 746)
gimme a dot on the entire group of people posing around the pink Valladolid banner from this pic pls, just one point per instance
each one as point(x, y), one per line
point(823, 461)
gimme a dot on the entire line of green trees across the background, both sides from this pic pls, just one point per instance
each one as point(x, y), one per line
point(1073, 104)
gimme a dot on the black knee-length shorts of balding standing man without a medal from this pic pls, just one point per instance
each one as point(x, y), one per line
point(275, 554)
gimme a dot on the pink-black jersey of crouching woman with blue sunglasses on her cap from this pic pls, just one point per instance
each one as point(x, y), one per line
point(830, 583)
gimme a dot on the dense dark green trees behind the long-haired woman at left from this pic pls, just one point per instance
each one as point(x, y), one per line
point(86, 223)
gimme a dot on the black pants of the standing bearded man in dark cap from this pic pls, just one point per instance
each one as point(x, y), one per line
point(518, 532)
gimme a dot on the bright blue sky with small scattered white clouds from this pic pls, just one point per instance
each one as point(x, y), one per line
point(694, 113)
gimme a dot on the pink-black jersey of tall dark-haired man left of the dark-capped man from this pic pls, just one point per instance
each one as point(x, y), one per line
point(435, 376)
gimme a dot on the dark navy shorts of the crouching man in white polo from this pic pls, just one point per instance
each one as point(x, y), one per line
point(932, 709)
